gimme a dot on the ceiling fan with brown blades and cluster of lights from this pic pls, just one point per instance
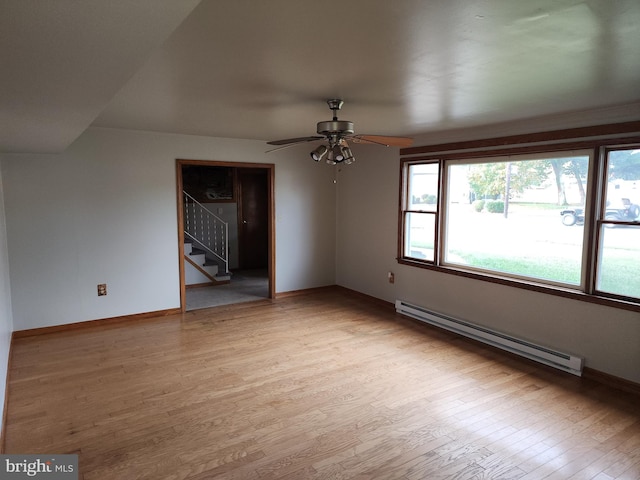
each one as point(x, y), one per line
point(337, 132)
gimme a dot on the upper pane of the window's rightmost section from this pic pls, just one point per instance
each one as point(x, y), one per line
point(623, 186)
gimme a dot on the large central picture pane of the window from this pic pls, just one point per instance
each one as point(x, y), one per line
point(509, 217)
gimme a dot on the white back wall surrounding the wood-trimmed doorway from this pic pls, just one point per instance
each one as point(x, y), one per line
point(104, 211)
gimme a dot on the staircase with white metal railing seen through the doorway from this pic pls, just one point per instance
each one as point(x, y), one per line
point(206, 238)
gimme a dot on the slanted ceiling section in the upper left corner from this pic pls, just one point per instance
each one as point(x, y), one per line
point(62, 61)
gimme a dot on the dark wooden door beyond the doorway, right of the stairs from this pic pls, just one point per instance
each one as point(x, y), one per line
point(253, 215)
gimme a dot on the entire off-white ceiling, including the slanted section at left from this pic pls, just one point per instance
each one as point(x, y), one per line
point(263, 69)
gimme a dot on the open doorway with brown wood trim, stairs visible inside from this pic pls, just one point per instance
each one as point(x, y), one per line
point(239, 198)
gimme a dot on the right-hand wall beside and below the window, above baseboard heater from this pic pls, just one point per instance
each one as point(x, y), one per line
point(367, 219)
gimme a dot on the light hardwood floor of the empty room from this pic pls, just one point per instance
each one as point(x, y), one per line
point(327, 385)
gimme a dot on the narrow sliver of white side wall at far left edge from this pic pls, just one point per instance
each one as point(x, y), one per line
point(6, 322)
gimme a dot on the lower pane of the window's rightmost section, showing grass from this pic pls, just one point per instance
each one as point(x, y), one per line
point(620, 261)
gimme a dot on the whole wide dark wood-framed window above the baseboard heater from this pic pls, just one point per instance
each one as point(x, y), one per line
point(566, 219)
